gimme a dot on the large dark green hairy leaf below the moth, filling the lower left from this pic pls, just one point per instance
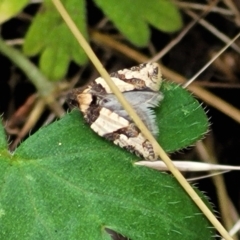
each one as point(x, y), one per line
point(65, 182)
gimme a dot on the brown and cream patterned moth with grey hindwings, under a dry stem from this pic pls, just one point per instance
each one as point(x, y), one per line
point(105, 115)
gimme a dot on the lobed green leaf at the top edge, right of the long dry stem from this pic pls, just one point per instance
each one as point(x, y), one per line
point(132, 18)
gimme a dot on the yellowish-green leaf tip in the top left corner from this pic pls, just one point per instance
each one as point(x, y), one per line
point(10, 8)
